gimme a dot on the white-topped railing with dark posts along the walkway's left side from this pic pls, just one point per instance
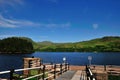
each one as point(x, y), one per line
point(52, 70)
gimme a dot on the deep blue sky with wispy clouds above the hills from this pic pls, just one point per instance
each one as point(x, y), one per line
point(59, 20)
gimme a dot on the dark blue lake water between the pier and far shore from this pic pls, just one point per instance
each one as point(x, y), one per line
point(9, 61)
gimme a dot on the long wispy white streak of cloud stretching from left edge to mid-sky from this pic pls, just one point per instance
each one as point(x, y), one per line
point(10, 23)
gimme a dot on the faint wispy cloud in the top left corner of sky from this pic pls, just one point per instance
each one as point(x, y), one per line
point(11, 2)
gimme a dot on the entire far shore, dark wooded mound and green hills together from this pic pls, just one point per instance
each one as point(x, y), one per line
point(27, 45)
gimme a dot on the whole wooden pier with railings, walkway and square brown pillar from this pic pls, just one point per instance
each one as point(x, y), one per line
point(62, 71)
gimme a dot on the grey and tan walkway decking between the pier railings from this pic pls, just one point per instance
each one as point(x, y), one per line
point(75, 73)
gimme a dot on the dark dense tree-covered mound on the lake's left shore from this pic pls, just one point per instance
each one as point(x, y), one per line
point(15, 45)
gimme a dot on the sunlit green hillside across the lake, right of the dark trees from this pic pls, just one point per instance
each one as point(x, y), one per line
point(105, 44)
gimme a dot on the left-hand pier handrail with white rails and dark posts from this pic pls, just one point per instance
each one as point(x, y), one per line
point(63, 68)
